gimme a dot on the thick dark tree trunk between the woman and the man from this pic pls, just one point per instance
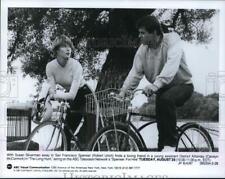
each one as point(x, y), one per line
point(122, 24)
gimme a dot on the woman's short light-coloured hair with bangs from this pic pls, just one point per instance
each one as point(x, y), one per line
point(62, 41)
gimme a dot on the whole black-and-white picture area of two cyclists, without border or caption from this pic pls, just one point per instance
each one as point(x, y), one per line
point(105, 79)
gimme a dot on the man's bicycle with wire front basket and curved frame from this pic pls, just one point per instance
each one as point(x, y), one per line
point(124, 136)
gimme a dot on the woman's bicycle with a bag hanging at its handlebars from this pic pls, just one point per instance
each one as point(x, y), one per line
point(49, 135)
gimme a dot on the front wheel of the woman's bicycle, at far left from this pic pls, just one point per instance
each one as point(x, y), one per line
point(48, 136)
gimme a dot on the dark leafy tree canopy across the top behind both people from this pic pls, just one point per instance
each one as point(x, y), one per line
point(31, 31)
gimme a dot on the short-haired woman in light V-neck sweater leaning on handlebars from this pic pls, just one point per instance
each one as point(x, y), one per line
point(68, 73)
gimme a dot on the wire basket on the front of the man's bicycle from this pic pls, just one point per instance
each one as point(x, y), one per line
point(108, 105)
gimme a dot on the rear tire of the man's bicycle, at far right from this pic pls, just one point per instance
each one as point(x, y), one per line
point(201, 130)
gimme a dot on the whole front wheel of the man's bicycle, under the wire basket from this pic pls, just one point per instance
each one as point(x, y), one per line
point(121, 139)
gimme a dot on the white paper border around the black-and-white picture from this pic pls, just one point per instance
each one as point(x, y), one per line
point(170, 169)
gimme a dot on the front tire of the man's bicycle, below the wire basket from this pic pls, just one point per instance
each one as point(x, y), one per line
point(119, 128)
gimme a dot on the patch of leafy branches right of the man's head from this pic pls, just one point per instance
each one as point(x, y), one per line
point(191, 23)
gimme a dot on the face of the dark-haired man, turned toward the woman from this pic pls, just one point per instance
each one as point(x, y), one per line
point(147, 38)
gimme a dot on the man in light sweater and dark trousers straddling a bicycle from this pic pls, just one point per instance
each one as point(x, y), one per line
point(161, 59)
